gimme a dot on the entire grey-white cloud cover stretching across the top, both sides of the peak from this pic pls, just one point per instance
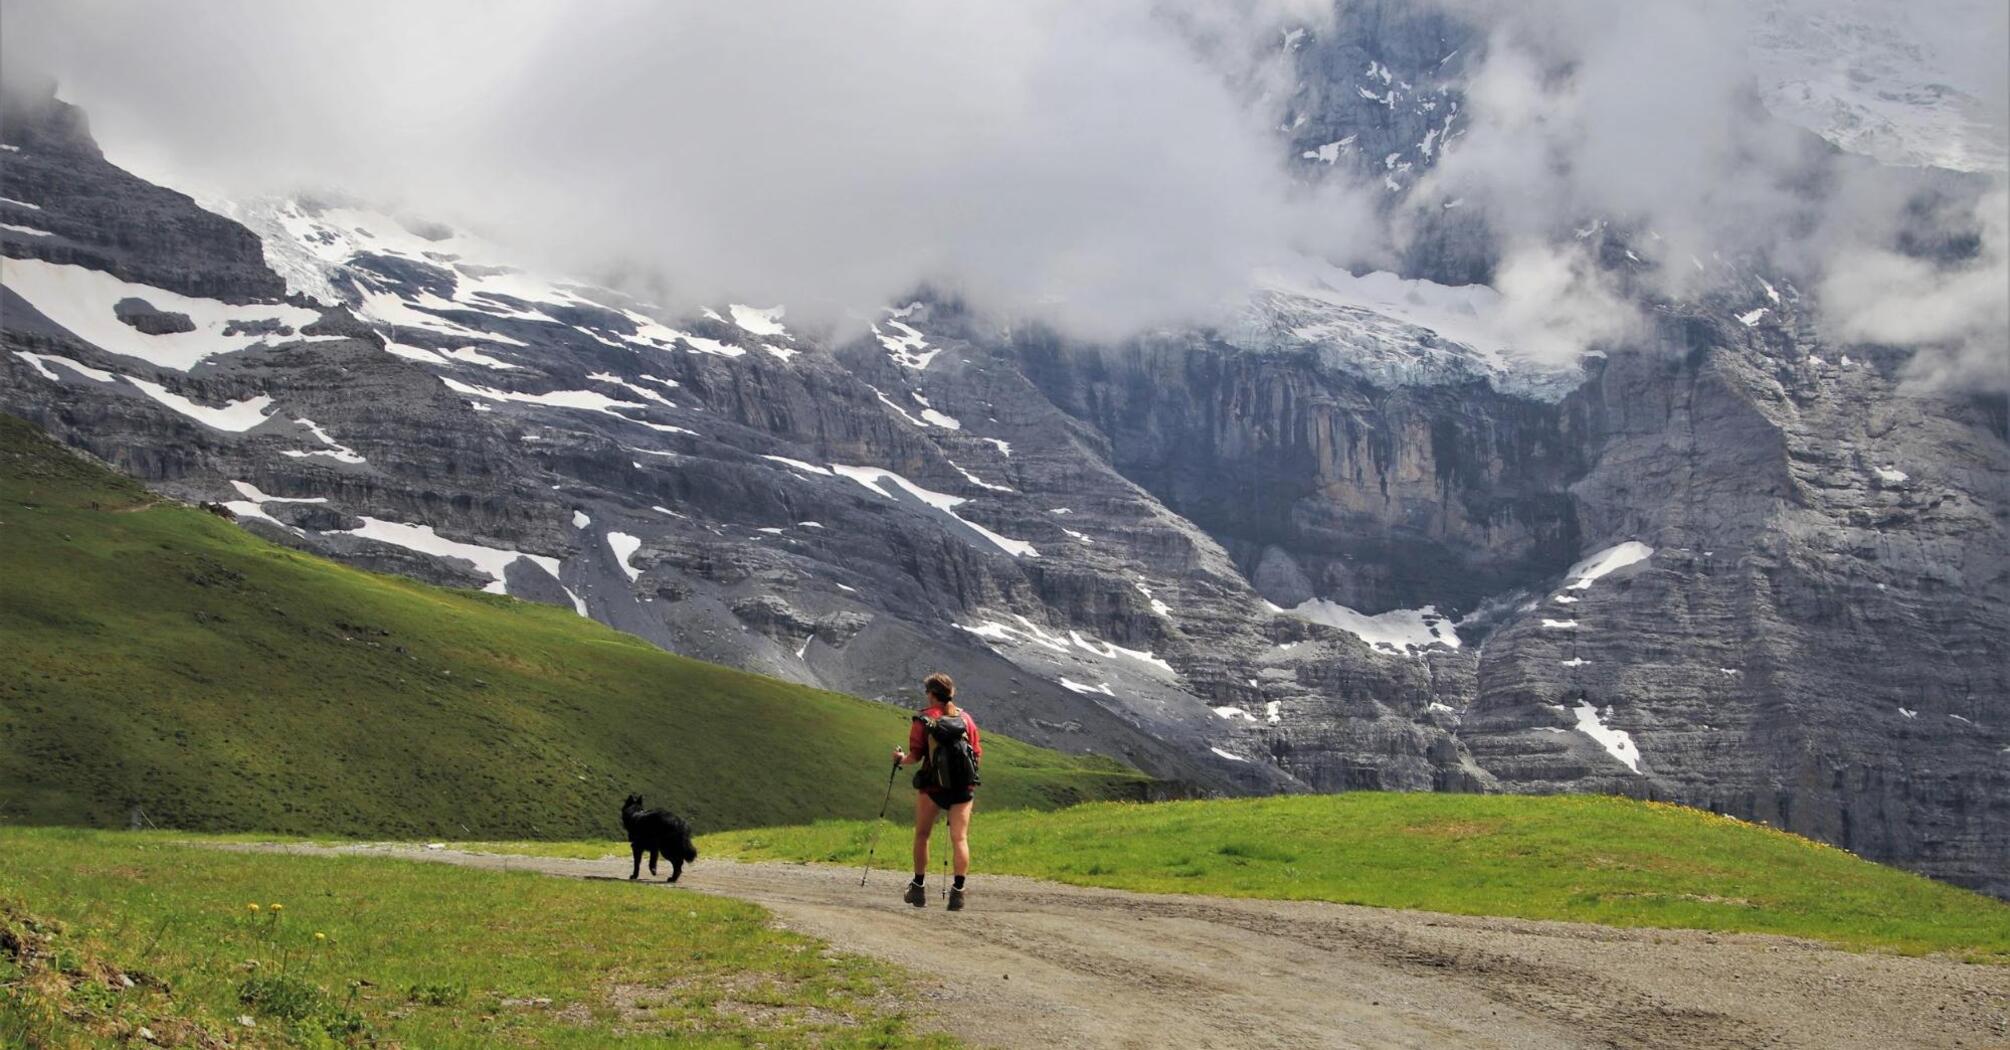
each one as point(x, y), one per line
point(1086, 164)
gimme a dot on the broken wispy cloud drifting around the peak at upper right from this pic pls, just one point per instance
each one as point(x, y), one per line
point(1649, 122)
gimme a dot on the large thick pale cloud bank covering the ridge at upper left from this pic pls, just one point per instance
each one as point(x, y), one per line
point(1072, 162)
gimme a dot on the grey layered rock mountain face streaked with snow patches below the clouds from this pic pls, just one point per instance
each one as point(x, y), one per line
point(1340, 544)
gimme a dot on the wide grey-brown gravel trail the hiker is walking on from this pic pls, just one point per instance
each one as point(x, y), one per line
point(1038, 965)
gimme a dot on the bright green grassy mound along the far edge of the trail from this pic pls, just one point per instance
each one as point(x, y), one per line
point(1543, 858)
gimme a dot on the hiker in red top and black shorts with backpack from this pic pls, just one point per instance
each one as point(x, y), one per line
point(944, 739)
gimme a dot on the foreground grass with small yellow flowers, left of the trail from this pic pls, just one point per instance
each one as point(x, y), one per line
point(445, 956)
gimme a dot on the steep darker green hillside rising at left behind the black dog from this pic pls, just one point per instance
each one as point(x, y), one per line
point(158, 655)
